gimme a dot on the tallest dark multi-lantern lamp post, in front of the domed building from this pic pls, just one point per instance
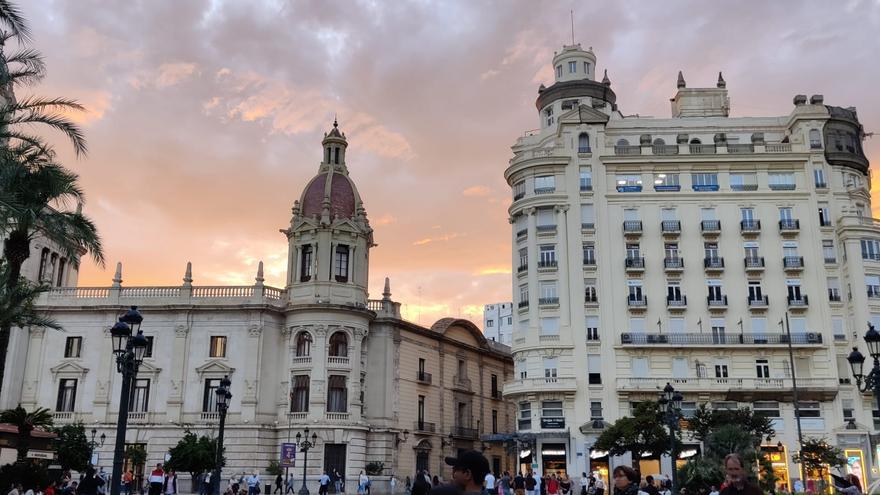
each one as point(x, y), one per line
point(129, 346)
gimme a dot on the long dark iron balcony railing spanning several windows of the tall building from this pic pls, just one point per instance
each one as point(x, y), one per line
point(735, 339)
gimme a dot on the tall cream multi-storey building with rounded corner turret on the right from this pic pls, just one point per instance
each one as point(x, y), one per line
point(673, 250)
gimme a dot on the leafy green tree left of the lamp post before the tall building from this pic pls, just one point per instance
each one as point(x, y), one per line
point(642, 432)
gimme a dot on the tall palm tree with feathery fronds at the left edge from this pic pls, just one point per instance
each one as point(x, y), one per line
point(32, 184)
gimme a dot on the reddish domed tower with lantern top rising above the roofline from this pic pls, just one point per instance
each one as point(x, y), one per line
point(329, 236)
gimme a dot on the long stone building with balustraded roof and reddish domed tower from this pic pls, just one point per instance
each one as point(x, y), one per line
point(317, 354)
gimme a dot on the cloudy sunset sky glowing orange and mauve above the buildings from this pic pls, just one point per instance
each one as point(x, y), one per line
point(205, 117)
